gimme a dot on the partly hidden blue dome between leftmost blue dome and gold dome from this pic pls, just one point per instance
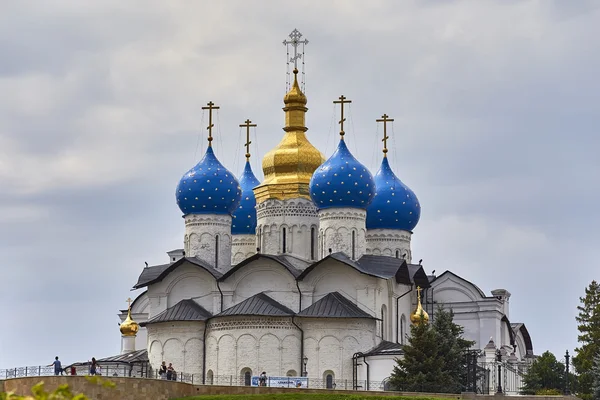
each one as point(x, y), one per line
point(244, 217)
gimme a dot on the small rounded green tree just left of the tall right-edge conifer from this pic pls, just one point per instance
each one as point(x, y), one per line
point(546, 373)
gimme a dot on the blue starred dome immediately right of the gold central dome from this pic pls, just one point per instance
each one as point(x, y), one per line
point(342, 181)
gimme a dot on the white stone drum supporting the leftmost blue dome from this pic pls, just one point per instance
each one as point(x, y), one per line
point(201, 234)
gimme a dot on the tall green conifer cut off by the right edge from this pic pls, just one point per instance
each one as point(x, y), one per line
point(588, 320)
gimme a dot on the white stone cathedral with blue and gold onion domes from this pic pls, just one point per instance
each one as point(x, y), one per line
point(308, 273)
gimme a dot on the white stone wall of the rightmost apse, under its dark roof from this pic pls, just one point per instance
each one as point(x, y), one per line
point(330, 343)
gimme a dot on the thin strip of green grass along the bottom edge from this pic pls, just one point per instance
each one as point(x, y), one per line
point(303, 396)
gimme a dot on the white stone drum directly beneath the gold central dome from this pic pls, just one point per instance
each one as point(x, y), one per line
point(299, 219)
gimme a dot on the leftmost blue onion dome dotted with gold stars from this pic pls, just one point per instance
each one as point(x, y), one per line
point(208, 188)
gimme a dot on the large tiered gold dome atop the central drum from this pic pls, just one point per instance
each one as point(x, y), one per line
point(289, 166)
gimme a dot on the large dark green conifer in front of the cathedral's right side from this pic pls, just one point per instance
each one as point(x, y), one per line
point(433, 360)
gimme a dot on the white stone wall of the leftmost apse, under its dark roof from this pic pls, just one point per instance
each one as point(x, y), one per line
point(180, 343)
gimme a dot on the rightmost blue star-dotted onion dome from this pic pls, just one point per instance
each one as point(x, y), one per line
point(395, 206)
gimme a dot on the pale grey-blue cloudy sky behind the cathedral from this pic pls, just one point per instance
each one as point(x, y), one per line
point(496, 107)
